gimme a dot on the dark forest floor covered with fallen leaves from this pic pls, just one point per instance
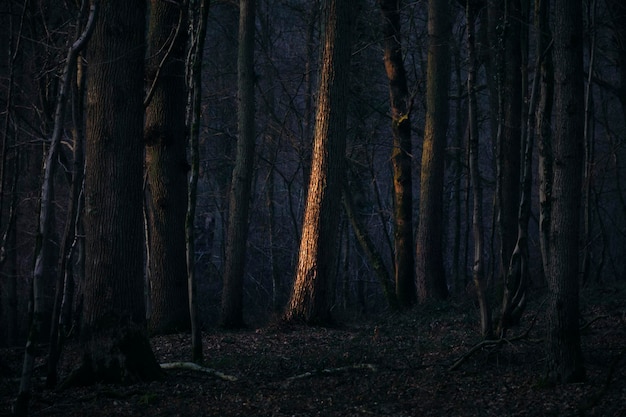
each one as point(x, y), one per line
point(387, 365)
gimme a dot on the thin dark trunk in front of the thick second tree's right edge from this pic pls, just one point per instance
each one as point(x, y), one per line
point(199, 10)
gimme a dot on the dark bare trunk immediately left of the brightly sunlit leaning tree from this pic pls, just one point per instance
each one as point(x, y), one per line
point(240, 188)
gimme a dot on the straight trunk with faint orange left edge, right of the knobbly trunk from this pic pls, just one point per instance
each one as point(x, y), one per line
point(431, 279)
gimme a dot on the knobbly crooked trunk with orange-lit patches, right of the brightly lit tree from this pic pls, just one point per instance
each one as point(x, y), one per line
point(400, 102)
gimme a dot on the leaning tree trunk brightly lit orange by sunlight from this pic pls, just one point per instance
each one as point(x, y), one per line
point(313, 288)
